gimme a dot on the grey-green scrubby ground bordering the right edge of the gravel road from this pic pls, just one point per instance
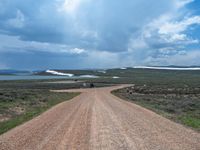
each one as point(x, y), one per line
point(178, 104)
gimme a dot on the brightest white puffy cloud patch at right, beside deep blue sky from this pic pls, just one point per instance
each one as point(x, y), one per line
point(169, 30)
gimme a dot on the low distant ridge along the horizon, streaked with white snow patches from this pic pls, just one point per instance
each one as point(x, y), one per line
point(94, 72)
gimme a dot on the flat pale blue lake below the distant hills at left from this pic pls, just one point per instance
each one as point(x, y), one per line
point(30, 77)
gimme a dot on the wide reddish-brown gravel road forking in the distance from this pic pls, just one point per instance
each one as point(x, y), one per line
point(98, 120)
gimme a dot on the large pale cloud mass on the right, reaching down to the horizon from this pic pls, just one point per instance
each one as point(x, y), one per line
point(165, 38)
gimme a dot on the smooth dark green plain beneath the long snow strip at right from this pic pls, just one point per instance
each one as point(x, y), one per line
point(156, 78)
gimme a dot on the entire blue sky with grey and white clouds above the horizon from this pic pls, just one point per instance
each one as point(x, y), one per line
point(48, 34)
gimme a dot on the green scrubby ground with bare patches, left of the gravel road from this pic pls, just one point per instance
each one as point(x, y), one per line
point(19, 106)
